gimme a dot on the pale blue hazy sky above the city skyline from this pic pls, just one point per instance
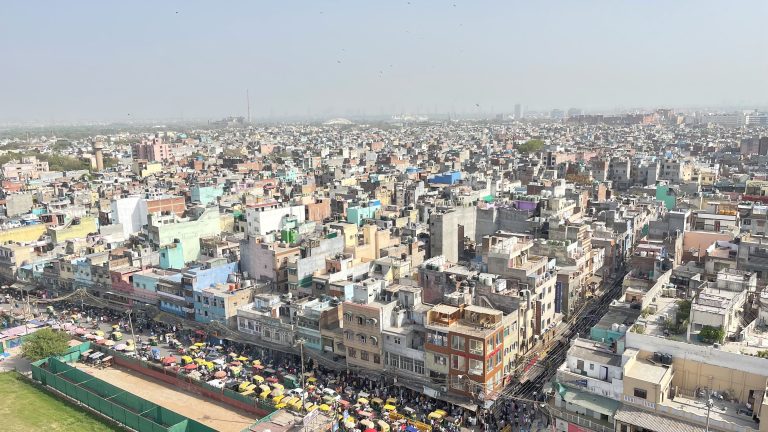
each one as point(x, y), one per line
point(75, 60)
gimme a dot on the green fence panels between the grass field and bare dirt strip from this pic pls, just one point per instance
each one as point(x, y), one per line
point(115, 403)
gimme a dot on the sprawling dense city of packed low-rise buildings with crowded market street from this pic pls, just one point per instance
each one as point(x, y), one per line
point(567, 272)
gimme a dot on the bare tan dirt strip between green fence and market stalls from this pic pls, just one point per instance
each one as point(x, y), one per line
point(217, 415)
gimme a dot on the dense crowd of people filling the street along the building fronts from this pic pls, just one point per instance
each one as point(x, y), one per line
point(520, 416)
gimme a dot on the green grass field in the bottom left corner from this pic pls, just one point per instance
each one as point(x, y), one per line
point(23, 407)
